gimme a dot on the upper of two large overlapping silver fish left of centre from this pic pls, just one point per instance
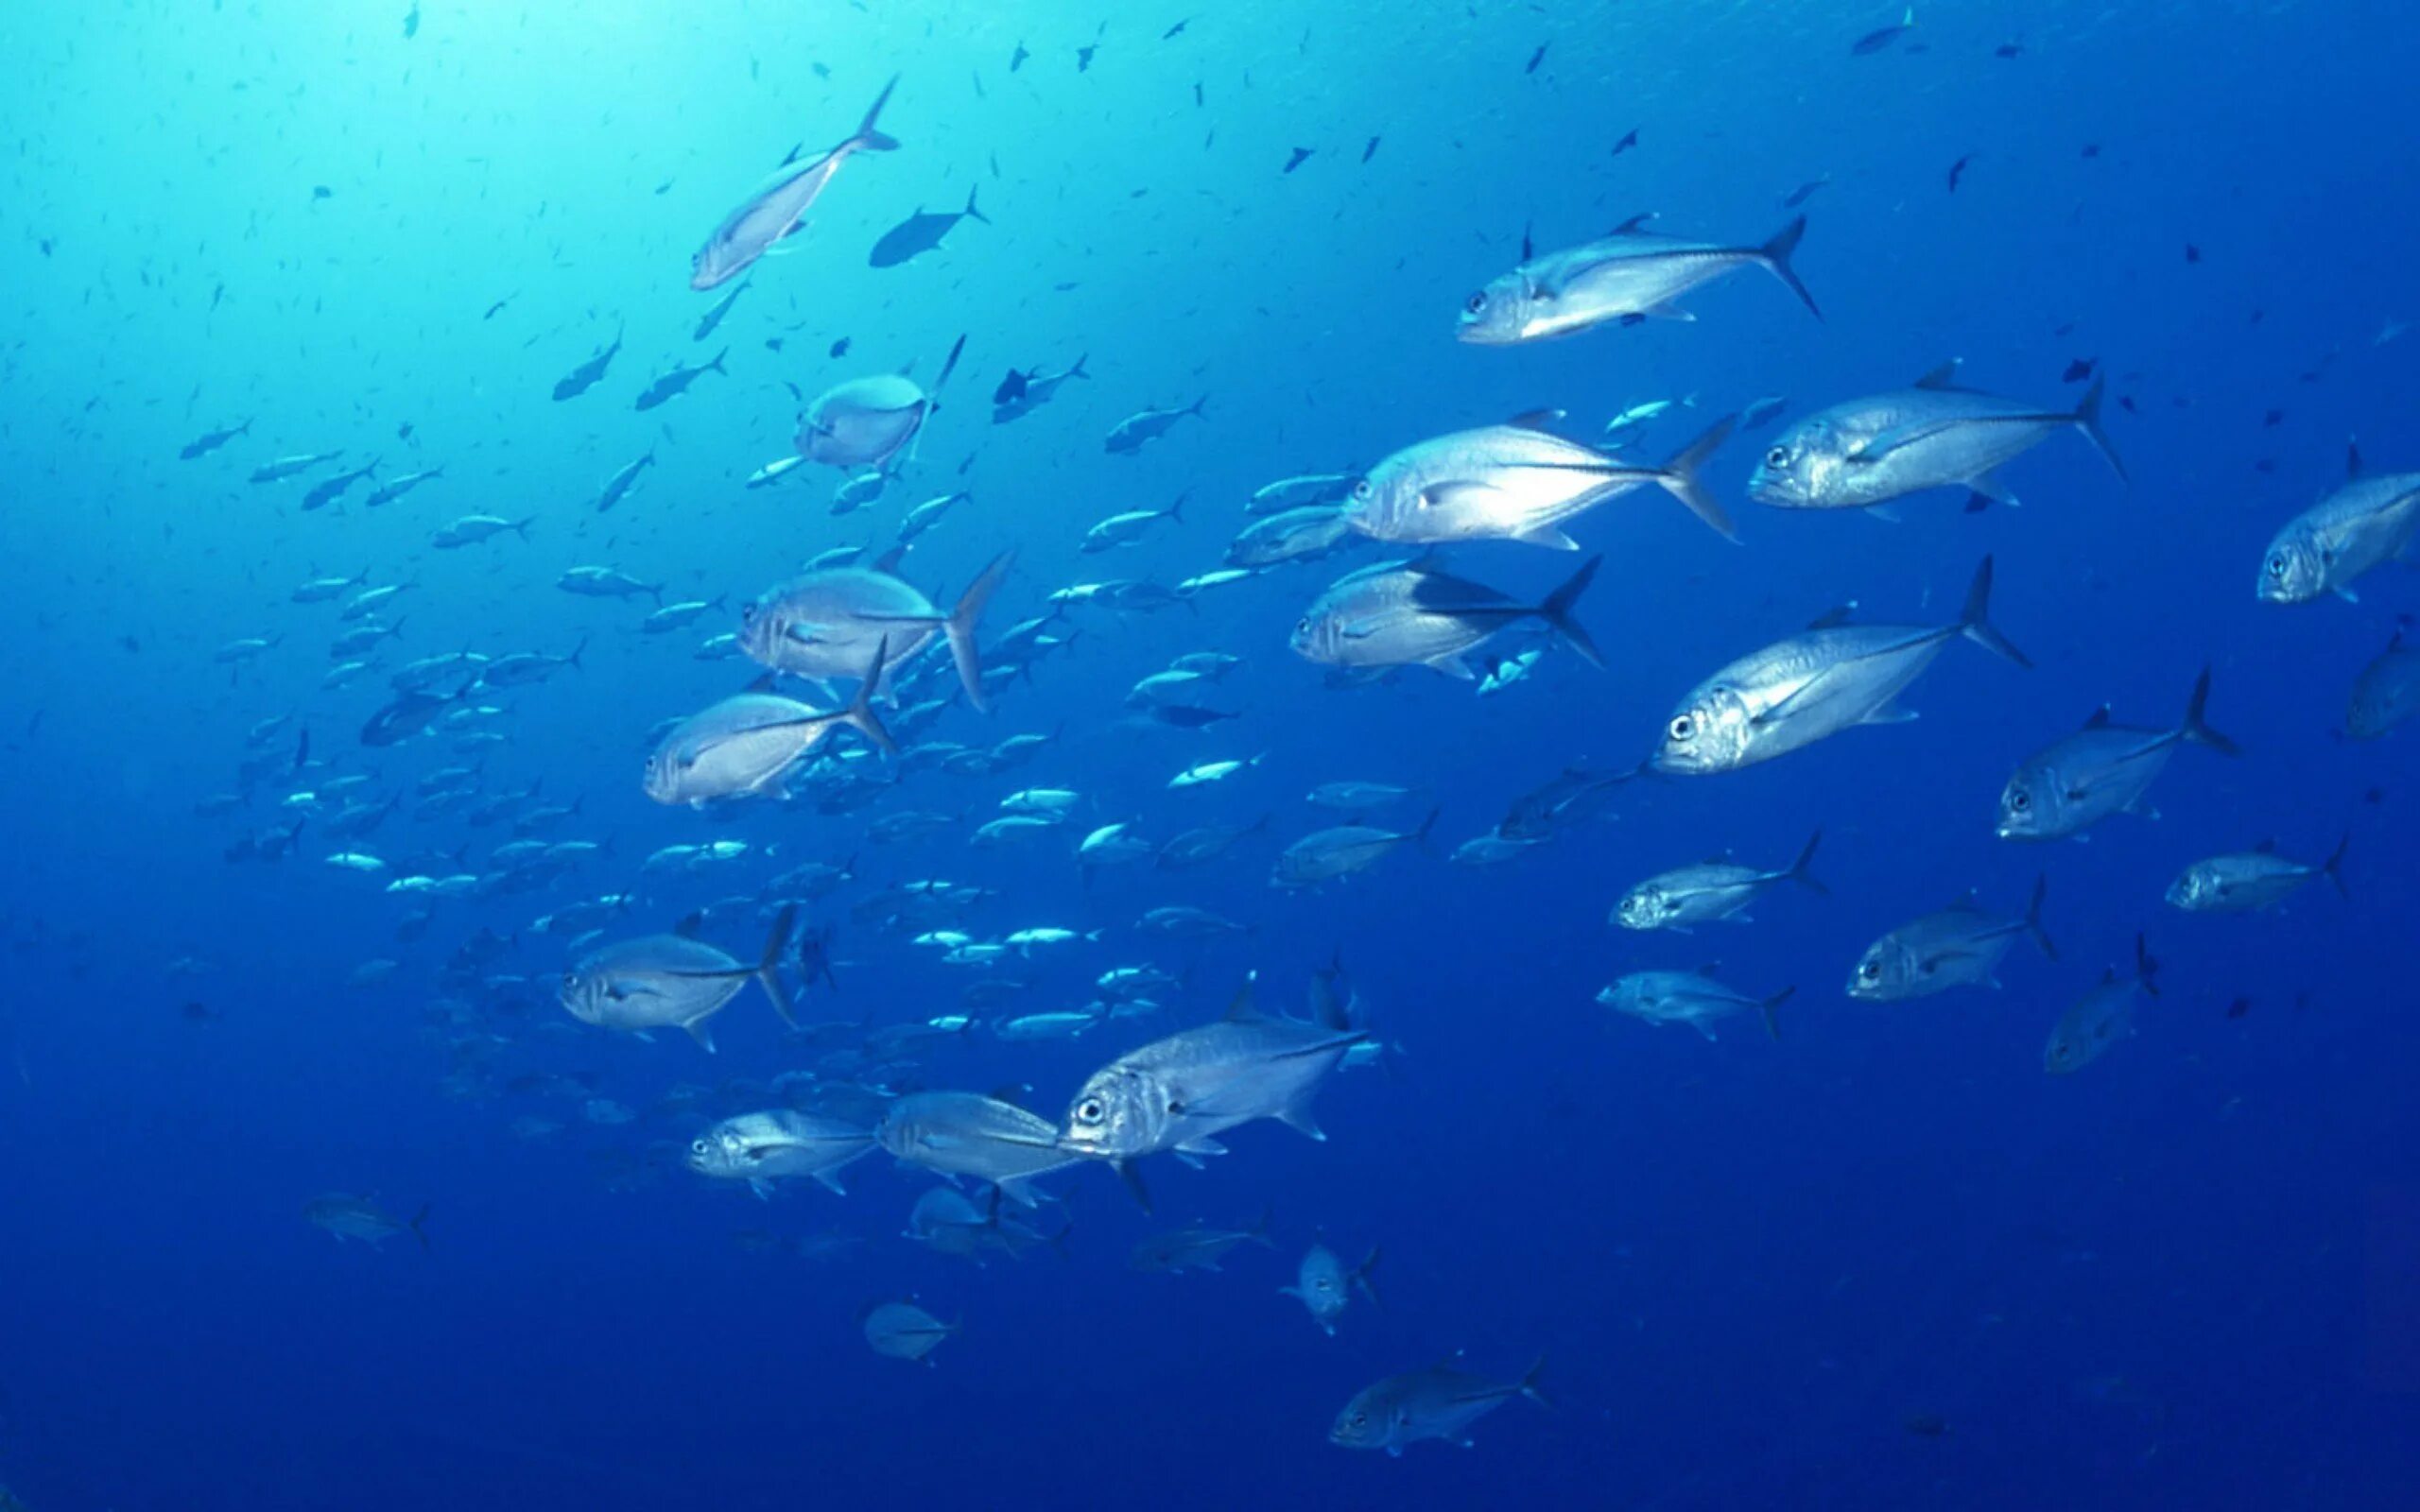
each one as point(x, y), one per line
point(829, 623)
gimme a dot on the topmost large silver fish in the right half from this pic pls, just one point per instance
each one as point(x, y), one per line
point(1623, 279)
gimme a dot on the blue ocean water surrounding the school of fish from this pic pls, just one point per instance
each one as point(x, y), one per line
point(1879, 1262)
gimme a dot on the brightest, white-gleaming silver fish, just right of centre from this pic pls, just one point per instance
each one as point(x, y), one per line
point(1516, 483)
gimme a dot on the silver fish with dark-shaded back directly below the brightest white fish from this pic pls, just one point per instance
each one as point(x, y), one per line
point(1402, 613)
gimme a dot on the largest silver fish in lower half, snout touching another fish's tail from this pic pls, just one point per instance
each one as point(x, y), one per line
point(1182, 1092)
